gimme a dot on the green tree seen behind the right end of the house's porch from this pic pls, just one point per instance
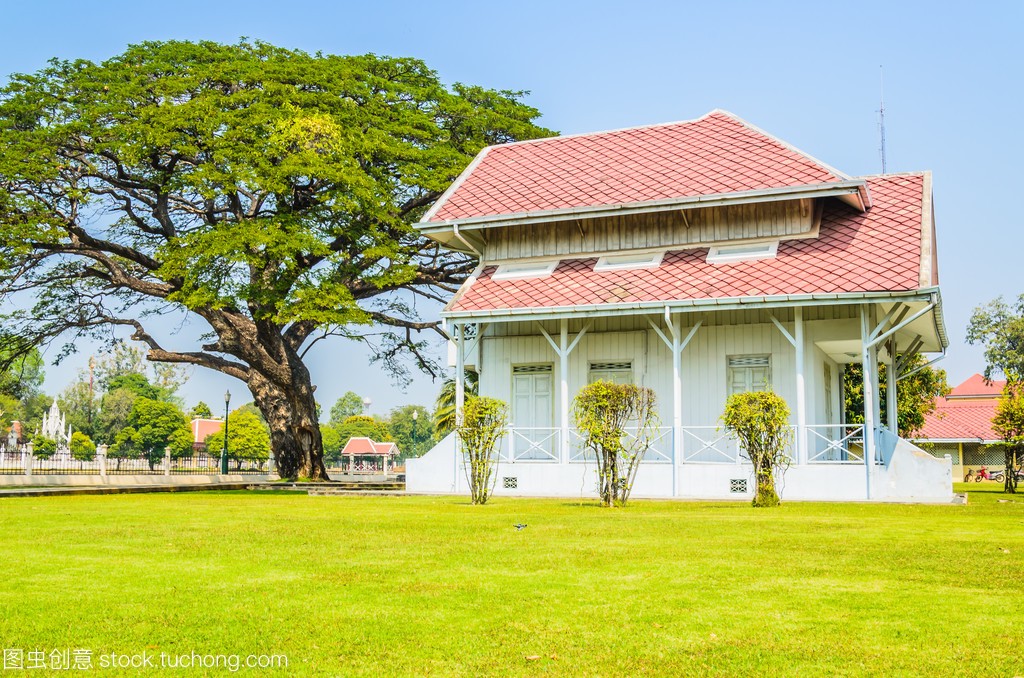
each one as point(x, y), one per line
point(916, 395)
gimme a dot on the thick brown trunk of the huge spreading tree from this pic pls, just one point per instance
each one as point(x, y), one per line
point(291, 413)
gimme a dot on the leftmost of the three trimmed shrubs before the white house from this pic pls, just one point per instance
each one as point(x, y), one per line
point(484, 423)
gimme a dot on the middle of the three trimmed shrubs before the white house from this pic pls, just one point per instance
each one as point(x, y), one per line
point(603, 413)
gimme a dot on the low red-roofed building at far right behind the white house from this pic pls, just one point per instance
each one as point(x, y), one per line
point(962, 427)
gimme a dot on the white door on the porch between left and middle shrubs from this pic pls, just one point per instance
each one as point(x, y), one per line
point(533, 413)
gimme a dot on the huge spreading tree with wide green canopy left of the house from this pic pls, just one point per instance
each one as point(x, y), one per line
point(267, 192)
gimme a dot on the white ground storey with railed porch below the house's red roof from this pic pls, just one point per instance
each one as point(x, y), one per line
point(693, 362)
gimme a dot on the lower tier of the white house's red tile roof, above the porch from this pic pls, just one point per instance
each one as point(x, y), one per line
point(878, 250)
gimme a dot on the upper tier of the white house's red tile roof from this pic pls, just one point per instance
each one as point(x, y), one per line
point(716, 154)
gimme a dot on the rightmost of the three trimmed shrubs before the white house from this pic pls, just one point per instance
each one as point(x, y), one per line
point(760, 421)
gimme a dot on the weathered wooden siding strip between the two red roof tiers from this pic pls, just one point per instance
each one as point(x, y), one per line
point(676, 229)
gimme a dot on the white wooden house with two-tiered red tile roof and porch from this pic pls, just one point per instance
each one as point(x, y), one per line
point(699, 259)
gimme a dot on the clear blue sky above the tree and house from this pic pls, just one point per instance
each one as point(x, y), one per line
point(805, 72)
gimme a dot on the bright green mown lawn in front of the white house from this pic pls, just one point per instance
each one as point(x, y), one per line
point(434, 586)
